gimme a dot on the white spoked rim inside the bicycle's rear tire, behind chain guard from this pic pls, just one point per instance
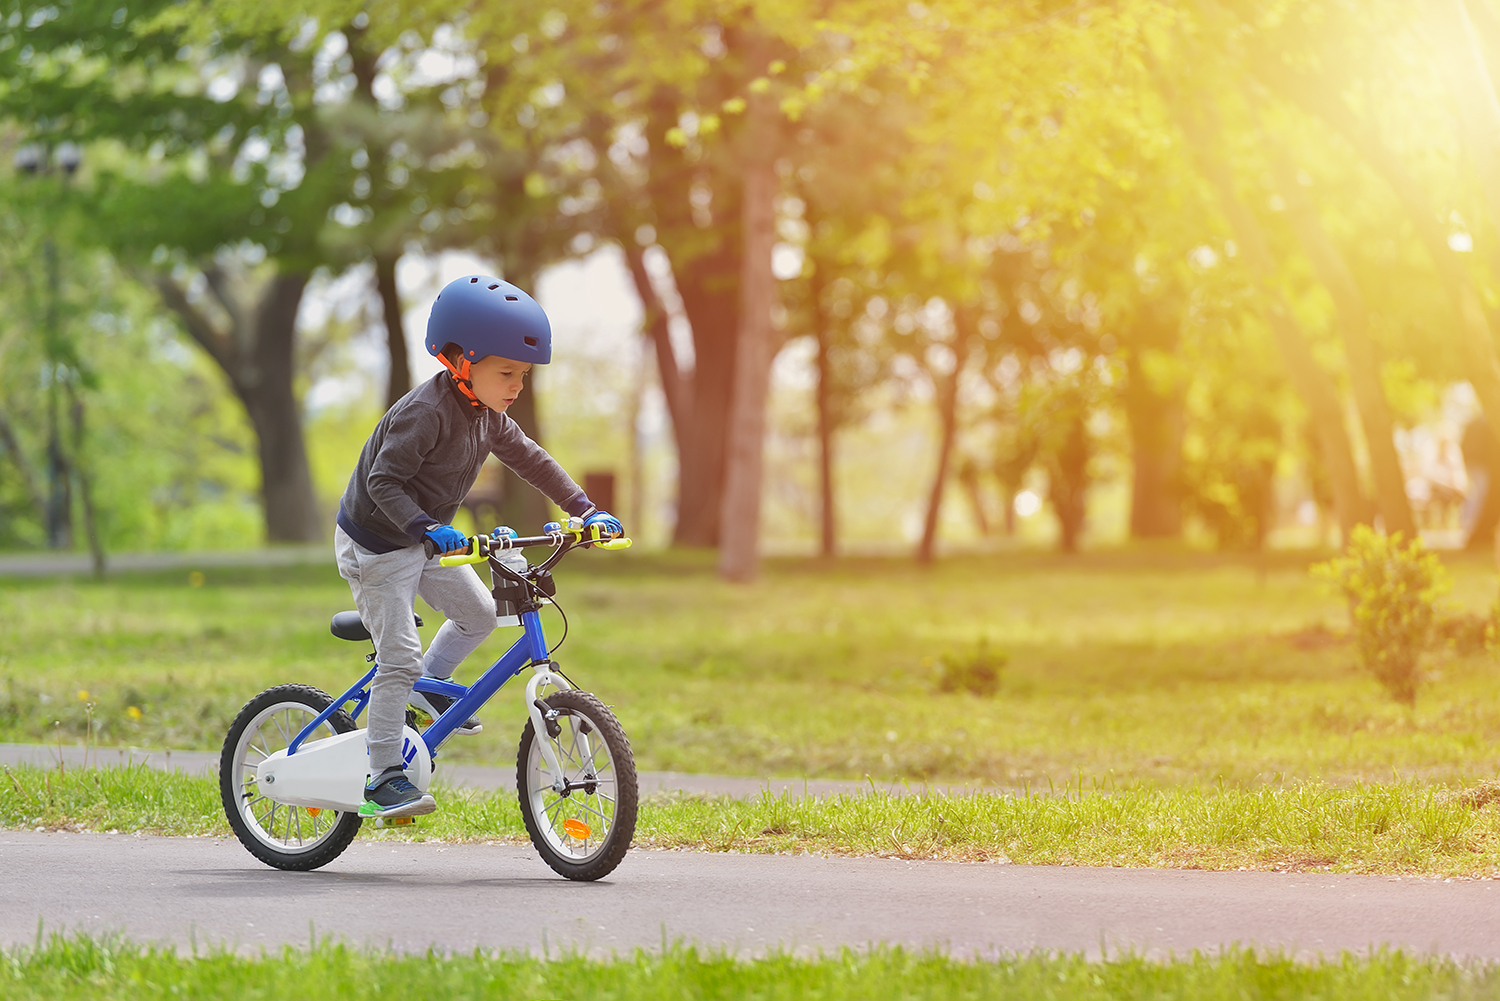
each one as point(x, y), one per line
point(290, 831)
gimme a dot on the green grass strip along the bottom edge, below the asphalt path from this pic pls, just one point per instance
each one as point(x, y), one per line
point(92, 969)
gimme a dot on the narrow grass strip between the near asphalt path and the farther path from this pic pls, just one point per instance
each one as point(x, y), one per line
point(1379, 829)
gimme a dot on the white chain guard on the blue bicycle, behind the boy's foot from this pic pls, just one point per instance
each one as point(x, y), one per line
point(331, 774)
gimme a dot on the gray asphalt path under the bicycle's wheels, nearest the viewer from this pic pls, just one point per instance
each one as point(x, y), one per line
point(412, 897)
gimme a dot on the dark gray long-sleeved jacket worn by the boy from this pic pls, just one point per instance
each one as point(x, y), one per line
point(422, 461)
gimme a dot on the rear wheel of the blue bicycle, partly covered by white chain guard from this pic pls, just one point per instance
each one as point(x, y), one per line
point(283, 837)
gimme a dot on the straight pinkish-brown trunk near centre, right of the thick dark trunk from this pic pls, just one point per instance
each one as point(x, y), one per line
point(740, 520)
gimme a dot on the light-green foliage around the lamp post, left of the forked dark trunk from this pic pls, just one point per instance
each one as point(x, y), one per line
point(169, 454)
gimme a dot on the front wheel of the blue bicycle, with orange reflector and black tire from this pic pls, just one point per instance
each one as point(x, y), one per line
point(586, 829)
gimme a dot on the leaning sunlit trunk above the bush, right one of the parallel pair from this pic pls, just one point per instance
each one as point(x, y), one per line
point(1360, 349)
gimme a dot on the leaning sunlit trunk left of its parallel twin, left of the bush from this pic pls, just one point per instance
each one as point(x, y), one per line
point(1313, 385)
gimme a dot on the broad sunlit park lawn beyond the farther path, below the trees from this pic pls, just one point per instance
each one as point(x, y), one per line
point(1126, 669)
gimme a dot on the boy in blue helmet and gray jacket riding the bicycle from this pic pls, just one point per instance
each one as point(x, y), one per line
point(418, 466)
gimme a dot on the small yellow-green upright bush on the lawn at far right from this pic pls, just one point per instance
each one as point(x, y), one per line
point(1393, 594)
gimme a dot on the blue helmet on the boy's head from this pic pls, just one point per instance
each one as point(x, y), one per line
point(487, 316)
